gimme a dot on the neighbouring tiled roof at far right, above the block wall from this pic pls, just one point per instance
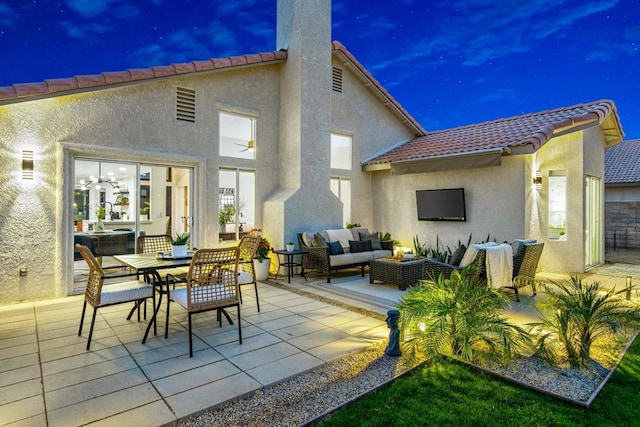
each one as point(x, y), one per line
point(622, 163)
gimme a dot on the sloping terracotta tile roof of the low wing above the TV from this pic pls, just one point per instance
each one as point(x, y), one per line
point(529, 132)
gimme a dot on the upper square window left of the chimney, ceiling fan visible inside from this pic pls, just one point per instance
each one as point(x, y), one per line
point(237, 136)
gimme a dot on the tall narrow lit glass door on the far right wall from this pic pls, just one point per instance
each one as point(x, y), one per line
point(593, 222)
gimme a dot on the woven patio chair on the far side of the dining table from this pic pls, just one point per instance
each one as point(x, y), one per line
point(156, 243)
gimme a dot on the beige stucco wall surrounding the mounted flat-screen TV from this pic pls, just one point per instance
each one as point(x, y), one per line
point(495, 201)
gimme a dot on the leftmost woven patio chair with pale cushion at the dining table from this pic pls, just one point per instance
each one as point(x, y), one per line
point(99, 295)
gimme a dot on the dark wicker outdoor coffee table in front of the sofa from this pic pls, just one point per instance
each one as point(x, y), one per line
point(401, 272)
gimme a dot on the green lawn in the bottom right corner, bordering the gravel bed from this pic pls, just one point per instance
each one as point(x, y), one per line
point(450, 393)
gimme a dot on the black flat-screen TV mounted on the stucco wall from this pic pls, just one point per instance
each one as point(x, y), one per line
point(441, 205)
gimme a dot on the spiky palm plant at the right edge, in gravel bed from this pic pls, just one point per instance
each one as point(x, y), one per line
point(577, 315)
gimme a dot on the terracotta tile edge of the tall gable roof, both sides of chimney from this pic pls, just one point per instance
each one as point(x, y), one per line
point(64, 86)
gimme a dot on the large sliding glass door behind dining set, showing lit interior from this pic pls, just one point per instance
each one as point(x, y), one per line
point(114, 202)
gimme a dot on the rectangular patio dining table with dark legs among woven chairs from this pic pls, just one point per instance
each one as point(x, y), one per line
point(151, 263)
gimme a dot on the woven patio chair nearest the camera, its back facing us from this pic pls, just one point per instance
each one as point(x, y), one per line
point(212, 284)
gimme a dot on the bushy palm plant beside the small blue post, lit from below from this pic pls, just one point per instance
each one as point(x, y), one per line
point(457, 316)
